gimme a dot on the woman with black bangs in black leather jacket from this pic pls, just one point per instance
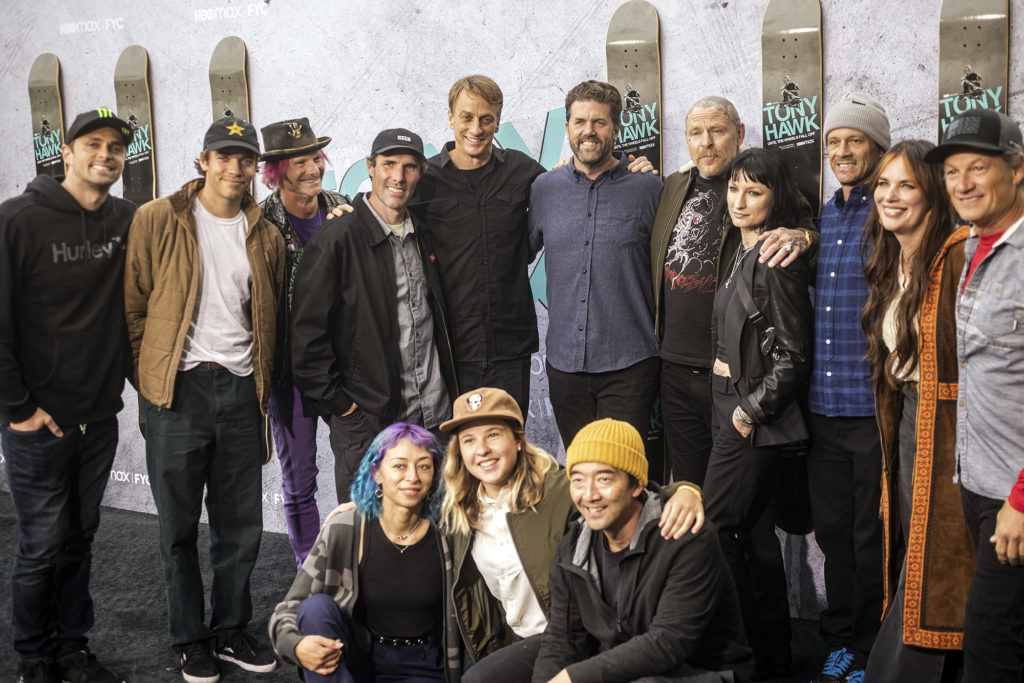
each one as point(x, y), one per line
point(762, 337)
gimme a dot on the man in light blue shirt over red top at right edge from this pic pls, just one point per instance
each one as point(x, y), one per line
point(983, 156)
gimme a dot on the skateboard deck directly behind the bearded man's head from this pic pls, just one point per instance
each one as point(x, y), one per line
point(634, 59)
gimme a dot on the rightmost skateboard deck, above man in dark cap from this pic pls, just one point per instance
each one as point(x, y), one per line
point(973, 58)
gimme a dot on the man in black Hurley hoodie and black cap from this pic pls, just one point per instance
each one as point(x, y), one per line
point(64, 359)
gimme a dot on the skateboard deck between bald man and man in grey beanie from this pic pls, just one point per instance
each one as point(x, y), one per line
point(791, 91)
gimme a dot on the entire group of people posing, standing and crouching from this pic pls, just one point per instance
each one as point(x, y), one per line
point(404, 319)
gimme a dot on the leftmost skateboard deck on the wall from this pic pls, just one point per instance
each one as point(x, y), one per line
point(48, 115)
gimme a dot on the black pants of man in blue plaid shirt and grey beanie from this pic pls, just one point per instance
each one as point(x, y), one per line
point(844, 472)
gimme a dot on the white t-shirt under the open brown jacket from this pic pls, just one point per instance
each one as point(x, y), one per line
point(222, 330)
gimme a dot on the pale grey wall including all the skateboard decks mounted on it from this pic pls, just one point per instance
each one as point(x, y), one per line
point(355, 68)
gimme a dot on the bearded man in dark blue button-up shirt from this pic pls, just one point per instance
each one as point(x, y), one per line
point(593, 218)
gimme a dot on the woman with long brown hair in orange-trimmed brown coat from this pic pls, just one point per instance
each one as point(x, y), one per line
point(913, 267)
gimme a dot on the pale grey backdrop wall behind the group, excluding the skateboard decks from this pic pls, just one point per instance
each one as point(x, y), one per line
point(355, 68)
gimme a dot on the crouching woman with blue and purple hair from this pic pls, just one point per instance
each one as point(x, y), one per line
point(369, 603)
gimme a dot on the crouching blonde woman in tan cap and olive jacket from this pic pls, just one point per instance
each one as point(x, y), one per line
point(506, 507)
